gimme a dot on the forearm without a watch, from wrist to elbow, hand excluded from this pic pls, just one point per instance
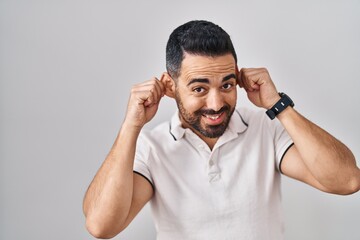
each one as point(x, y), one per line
point(108, 199)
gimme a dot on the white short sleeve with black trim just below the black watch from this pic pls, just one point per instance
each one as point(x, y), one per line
point(282, 141)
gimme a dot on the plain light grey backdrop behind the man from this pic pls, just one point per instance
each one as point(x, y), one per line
point(66, 68)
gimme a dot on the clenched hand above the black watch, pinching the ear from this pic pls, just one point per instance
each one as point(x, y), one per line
point(260, 89)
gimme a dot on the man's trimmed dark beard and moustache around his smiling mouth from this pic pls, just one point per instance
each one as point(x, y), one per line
point(194, 119)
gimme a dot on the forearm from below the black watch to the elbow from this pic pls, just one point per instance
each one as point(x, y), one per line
point(328, 160)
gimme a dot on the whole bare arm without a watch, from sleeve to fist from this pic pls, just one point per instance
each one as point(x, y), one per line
point(116, 194)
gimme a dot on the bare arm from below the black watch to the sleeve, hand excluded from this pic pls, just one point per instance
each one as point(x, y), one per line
point(326, 163)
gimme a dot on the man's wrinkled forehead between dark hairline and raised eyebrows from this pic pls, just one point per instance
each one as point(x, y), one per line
point(195, 65)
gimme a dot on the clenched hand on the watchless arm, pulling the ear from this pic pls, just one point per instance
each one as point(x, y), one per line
point(143, 103)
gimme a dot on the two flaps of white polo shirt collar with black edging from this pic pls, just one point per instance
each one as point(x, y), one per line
point(236, 125)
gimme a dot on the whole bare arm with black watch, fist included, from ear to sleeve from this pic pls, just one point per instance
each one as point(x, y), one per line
point(316, 158)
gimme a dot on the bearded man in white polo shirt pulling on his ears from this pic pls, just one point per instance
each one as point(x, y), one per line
point(213, 171)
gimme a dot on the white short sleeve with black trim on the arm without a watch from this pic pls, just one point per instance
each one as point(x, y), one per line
point(141, 161)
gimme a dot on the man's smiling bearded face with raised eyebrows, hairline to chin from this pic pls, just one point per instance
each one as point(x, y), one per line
point(206, 93)
